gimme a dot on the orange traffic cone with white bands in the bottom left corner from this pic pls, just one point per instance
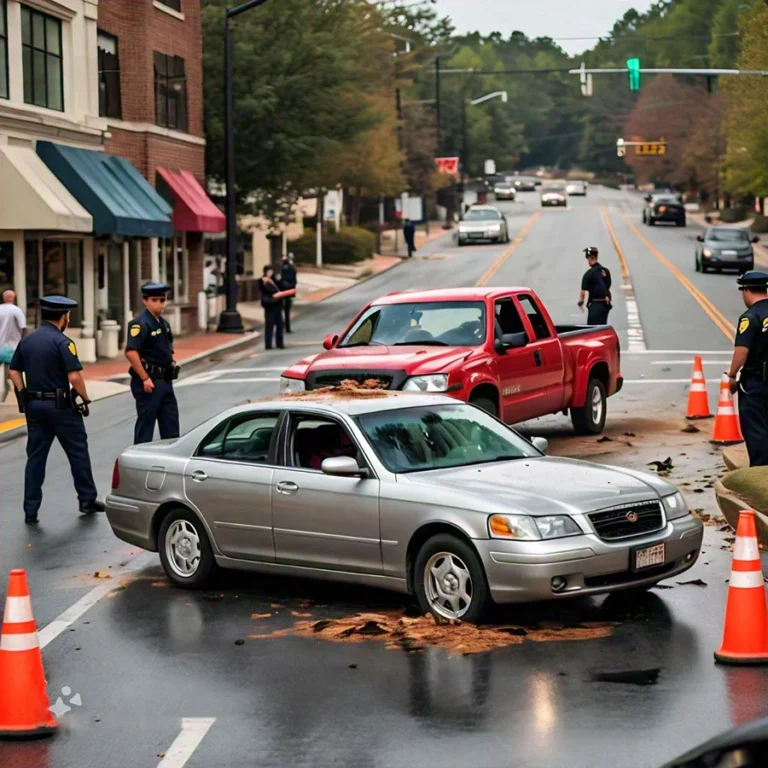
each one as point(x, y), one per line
point(23, 699)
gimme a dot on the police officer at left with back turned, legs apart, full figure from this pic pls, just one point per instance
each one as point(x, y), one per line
point(49, 399)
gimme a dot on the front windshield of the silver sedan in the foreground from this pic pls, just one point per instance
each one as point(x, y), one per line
point(440, 437)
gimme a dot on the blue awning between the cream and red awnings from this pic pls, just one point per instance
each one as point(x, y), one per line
point(120, 199)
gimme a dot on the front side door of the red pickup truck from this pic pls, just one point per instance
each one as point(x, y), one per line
point(518, 369)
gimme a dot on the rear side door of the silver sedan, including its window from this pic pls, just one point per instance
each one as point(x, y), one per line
point(230, 478)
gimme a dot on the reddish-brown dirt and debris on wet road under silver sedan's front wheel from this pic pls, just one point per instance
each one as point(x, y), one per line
point(407, 632)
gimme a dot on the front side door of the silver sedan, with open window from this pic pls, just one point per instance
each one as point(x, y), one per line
point(322, 521)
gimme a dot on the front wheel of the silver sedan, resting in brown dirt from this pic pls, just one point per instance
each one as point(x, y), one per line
point(462, 564)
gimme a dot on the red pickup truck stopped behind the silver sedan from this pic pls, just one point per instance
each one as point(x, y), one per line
point(494, 347)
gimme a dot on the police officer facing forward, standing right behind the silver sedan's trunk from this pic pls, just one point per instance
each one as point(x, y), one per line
point(150, 352)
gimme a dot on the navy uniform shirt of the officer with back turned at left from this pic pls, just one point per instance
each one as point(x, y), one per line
point(46, 356)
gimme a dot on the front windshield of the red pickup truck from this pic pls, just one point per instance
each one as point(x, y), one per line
point(437, 323)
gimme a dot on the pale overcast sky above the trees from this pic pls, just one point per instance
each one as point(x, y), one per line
point(539, 18)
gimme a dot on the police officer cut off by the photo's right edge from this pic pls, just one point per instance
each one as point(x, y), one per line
point(750, 356)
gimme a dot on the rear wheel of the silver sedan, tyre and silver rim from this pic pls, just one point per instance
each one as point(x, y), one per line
point(187, 525)
